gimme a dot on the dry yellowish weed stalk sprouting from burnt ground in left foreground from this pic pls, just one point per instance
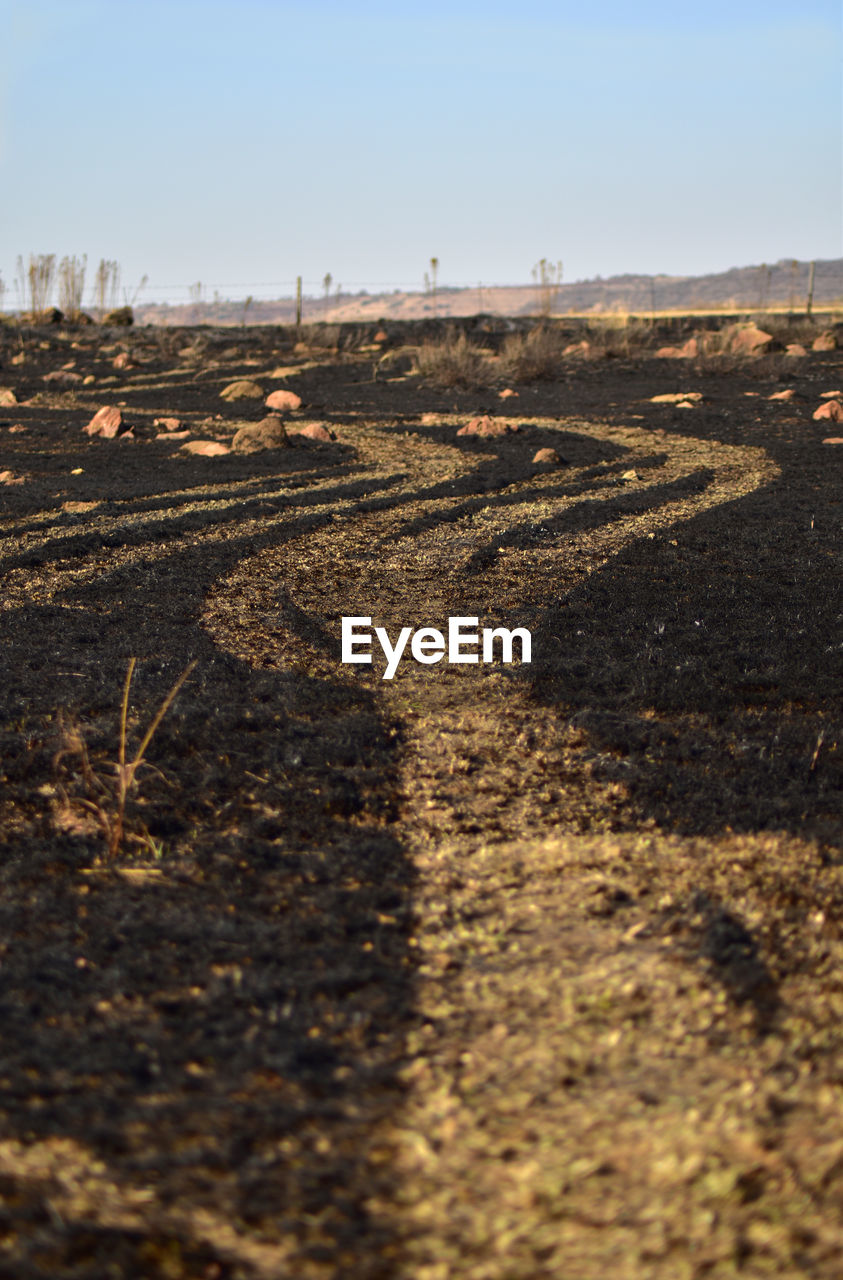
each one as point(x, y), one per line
point(108, 803)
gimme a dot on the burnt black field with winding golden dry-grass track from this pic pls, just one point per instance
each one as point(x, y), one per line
point(496, 972)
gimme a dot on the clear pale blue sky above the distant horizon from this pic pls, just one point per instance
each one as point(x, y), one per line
point(245, 144)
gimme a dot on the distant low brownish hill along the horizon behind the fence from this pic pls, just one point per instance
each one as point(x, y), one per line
point(743, 289)
